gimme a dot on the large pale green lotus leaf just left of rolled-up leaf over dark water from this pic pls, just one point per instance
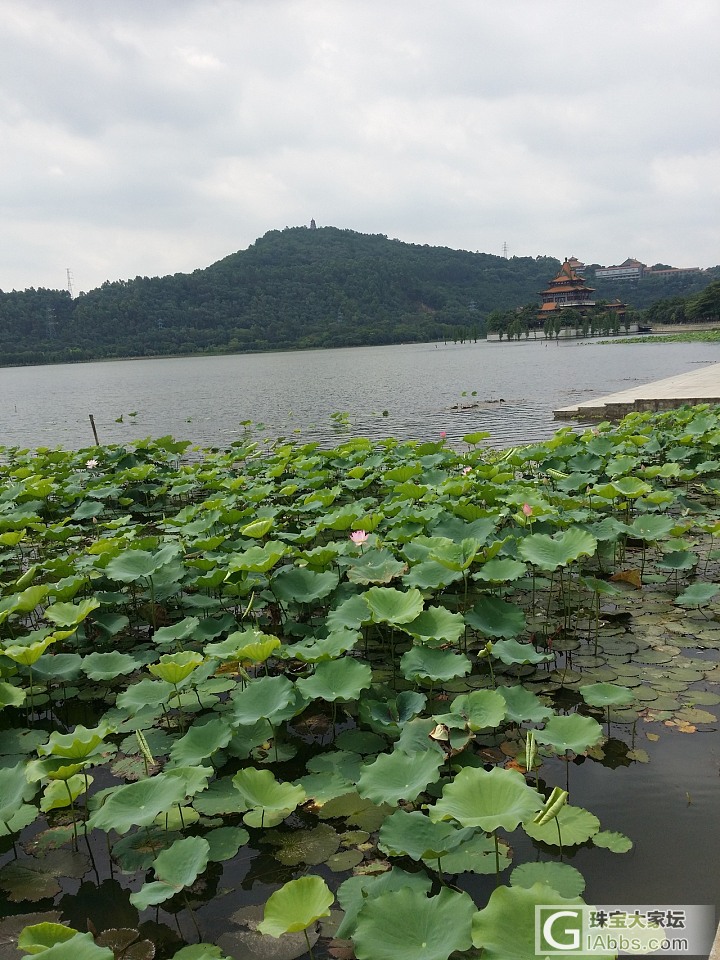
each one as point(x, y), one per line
point(487, 799)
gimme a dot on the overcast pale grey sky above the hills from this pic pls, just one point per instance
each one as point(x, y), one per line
point(150, 137)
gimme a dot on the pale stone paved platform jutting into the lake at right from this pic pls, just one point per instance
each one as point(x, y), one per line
point(698, 386)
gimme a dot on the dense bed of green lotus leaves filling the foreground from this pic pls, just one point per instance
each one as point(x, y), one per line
point(283, 701)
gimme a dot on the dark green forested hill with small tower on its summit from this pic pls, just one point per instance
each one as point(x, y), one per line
point(294, 288)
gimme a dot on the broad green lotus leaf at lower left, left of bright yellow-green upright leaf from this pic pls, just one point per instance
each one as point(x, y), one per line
point(137, 804)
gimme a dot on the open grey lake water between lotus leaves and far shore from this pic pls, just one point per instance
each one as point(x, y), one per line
point(418, 386)
